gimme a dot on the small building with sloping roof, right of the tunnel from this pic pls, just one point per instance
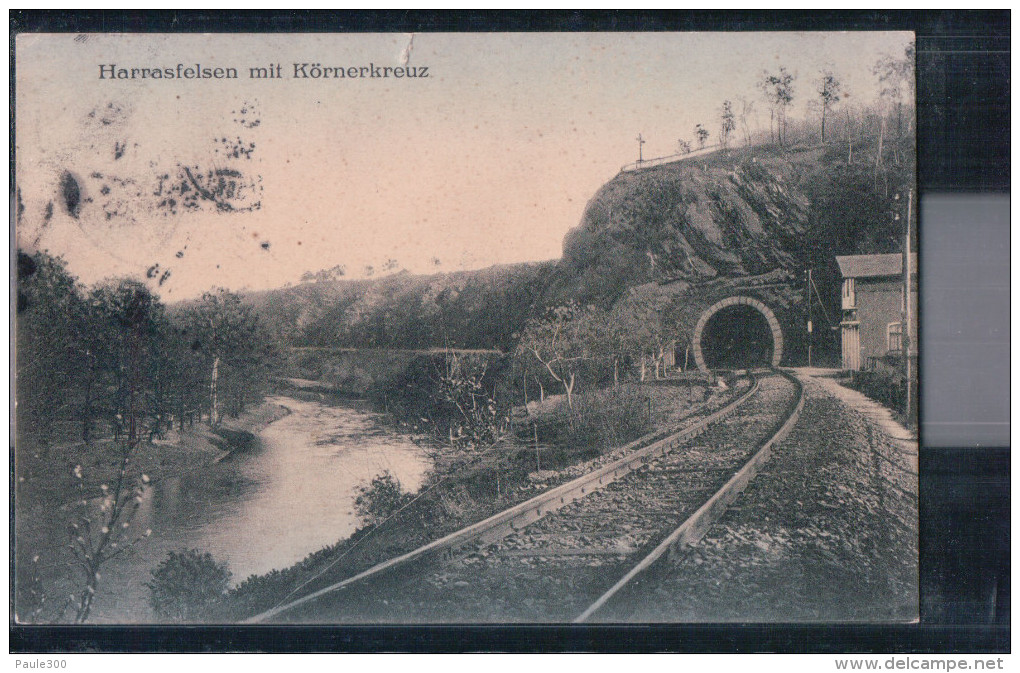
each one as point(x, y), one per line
point(874, 305)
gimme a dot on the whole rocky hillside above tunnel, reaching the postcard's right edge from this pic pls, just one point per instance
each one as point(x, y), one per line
point(738, 214)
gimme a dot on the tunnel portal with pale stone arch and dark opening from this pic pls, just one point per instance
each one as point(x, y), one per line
point(739, 333)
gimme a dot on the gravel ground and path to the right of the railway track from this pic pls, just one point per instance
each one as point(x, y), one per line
point(828, 532)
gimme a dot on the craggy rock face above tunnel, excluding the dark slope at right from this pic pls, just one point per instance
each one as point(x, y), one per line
point(730, 215)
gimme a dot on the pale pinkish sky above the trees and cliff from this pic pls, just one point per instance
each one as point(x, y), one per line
point(490, 160)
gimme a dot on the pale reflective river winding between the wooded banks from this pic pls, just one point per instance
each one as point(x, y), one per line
point(266, 508)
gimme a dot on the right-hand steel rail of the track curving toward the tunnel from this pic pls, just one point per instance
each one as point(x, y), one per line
point(695, 528)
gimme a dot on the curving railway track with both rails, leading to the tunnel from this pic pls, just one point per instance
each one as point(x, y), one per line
point(565, 555)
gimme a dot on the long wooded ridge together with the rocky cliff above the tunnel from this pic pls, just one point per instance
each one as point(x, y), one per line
point(733, 214)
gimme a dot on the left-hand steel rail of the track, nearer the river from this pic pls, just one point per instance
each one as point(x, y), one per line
point(503, 524)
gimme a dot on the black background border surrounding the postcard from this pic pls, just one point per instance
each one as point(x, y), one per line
point(963, 103)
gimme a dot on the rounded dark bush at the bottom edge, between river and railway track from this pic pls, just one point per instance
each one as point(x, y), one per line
point(187, 586)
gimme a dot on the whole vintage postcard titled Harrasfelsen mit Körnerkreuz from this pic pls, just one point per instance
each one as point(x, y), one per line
point(399, 329)
